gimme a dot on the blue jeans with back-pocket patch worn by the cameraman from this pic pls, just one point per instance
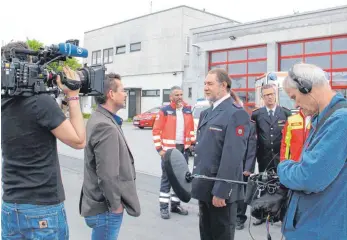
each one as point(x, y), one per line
point(26, 221)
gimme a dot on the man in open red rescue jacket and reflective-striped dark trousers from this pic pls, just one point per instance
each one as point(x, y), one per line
point(173, 128)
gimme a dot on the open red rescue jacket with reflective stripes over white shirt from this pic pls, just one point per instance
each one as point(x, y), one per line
point(164, 128)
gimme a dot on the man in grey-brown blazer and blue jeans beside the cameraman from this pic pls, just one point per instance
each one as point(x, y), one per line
point(109, 173)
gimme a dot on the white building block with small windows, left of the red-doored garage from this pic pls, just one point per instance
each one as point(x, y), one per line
point(151, 53)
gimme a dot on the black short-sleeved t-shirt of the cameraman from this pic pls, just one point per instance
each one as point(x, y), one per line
point(30, 166)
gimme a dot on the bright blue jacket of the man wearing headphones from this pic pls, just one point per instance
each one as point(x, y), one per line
point(318, 208)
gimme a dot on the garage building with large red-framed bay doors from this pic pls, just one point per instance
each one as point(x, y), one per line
point(249, 50)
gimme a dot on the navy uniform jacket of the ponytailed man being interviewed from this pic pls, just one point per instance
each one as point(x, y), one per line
point(221, 146)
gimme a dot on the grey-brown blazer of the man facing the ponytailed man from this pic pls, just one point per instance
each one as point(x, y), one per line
point(109, 172)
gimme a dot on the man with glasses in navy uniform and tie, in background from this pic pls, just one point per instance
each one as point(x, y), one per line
point(270, 121)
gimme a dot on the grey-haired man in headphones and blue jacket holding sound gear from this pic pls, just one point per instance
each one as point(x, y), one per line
point(317, 207)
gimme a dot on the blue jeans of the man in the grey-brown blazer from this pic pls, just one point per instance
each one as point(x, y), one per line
point(105, 226)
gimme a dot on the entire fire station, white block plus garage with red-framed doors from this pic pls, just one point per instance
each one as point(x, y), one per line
point(180, 45)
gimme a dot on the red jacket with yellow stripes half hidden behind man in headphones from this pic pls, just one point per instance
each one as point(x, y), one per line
point(294, 134)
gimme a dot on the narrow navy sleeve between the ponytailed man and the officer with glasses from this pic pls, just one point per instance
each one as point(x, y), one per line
point(249, 161)
